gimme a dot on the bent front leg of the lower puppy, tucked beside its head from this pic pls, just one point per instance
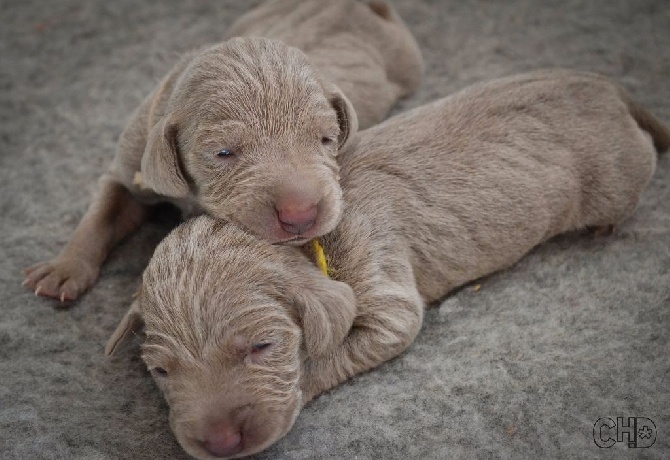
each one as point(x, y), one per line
point(389, 318)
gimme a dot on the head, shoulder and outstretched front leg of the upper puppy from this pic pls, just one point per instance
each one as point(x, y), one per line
point(245, 131)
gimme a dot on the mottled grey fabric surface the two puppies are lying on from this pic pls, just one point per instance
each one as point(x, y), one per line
point(521, 368)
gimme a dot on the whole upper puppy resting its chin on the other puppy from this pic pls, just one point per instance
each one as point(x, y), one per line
point(248, 131)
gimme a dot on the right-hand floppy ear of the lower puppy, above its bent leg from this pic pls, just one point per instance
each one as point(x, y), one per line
point(327, 309)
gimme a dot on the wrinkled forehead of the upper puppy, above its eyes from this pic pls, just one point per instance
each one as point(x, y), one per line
point(258, 82)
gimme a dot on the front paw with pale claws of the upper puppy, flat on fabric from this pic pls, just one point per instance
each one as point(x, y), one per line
point(64, 278)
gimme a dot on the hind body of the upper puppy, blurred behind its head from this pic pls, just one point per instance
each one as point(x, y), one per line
point(363, 47)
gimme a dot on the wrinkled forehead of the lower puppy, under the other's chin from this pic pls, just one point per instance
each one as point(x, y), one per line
point(209, 280)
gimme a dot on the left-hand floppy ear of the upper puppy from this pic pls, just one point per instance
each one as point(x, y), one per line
point(161, 169)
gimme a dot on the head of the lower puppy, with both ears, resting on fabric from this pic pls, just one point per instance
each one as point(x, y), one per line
point(229, 320)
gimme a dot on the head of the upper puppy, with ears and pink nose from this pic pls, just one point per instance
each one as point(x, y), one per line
point(252, 132)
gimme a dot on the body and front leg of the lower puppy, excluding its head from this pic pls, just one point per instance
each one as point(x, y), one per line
point(452, 191)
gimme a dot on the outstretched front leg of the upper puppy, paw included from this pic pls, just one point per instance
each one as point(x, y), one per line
point(114, 214)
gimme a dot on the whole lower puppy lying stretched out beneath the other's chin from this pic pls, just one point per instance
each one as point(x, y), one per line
point(241, 333)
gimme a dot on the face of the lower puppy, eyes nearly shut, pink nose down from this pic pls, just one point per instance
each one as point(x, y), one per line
point(230, 378)
